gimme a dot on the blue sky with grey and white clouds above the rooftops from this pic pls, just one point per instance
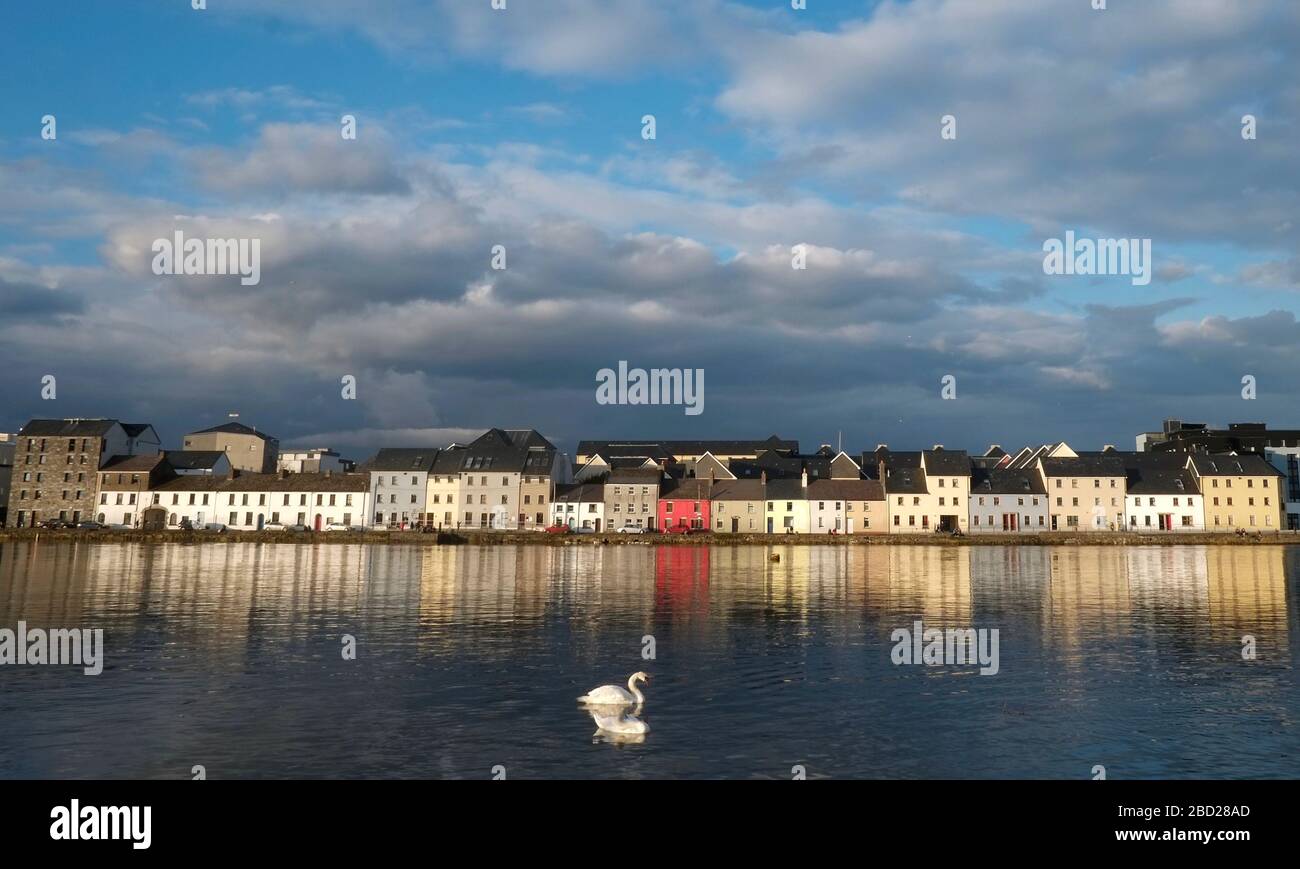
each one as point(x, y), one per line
point(777, 129)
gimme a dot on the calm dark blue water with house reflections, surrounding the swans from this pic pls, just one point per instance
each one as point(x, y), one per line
point(229, 656)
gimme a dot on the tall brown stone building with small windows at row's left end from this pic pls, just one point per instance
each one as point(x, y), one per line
point(57, 466)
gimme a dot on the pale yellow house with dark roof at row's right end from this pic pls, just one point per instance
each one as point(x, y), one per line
point(1240, 492)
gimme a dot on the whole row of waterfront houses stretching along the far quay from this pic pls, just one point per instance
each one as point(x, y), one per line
point(116, 473)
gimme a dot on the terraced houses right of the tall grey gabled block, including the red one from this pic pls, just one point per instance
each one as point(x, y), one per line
point(774, 490)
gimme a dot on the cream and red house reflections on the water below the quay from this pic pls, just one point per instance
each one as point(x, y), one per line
point(228, 596)
